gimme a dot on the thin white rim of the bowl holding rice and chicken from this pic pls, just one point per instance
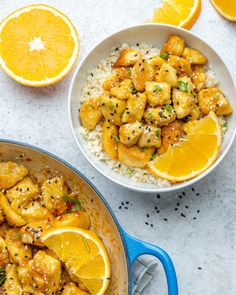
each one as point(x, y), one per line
point(172, 188)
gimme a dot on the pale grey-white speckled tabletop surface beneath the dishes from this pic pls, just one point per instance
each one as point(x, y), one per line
point(39, 117)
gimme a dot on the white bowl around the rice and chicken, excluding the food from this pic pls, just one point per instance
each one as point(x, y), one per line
point(154, 34)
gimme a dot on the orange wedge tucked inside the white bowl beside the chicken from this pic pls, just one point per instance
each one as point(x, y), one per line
point(194, 154)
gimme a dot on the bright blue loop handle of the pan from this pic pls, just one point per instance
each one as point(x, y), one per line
point(137, 248)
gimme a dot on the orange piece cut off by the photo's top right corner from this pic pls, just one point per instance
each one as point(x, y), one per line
point(226, 8)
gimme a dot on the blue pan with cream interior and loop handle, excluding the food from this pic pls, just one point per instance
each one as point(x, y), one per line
point(123, 249)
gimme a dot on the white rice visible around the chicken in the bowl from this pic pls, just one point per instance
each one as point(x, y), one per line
point(93, 88)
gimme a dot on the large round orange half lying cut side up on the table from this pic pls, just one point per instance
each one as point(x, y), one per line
point(38, 45)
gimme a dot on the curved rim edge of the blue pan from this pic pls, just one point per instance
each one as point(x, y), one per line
point(91, 185)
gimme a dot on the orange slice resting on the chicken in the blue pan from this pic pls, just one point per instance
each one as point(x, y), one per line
point(84, 254)
